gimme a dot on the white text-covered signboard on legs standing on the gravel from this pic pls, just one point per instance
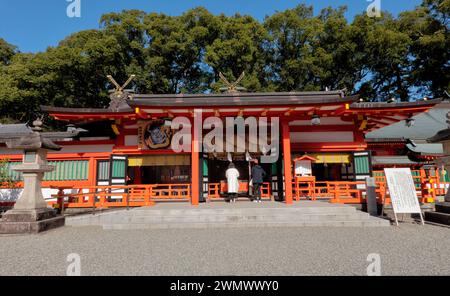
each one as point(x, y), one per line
point(402, 191)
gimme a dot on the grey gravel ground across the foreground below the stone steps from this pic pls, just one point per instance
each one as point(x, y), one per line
point(405, 250)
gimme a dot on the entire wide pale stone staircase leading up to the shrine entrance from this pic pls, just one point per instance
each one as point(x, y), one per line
point(241, 214)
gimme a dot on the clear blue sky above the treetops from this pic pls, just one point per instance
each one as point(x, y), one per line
point(33, 25)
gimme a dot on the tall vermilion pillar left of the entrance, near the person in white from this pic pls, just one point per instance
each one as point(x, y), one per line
point(195, 163)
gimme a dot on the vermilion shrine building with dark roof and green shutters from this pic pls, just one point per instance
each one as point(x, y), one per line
point(128, 144)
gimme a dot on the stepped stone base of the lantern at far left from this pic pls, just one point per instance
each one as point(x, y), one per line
point(30, 221)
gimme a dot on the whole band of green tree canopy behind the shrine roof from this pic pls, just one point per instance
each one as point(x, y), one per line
point(404, 57)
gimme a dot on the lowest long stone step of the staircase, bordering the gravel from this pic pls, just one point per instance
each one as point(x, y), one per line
point(136, 226)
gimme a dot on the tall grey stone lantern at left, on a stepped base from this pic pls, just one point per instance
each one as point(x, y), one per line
point(31, 213)
